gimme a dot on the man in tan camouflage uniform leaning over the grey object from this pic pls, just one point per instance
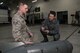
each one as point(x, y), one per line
point(20, 30)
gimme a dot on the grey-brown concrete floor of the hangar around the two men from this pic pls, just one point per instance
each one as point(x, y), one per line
point(65, 31)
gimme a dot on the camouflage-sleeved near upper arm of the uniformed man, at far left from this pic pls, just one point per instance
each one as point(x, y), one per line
point(16, 26)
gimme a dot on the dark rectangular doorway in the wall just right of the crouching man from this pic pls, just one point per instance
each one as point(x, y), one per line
point(62, 16)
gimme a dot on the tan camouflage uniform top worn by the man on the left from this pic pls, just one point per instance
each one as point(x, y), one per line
point(19, 28)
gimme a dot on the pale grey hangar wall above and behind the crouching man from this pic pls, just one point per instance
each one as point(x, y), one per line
point(59, 5)
